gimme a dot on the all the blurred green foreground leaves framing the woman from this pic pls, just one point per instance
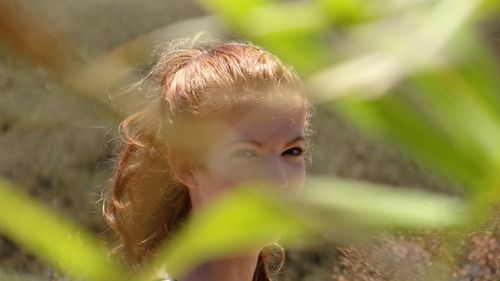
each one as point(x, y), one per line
point(429, 85)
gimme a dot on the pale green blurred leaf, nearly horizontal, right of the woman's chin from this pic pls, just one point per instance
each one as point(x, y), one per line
point(374, 205)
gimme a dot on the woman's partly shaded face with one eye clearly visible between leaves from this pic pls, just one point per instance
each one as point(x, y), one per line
point(264, 144)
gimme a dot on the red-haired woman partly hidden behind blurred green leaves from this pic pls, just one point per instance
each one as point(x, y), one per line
point(225, 113)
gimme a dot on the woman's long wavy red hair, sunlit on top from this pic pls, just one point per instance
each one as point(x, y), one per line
point(143, 202)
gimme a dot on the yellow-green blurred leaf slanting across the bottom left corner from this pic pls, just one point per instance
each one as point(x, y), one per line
point(52, 238)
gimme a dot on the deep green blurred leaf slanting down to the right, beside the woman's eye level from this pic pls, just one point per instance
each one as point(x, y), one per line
point(391, 117)
